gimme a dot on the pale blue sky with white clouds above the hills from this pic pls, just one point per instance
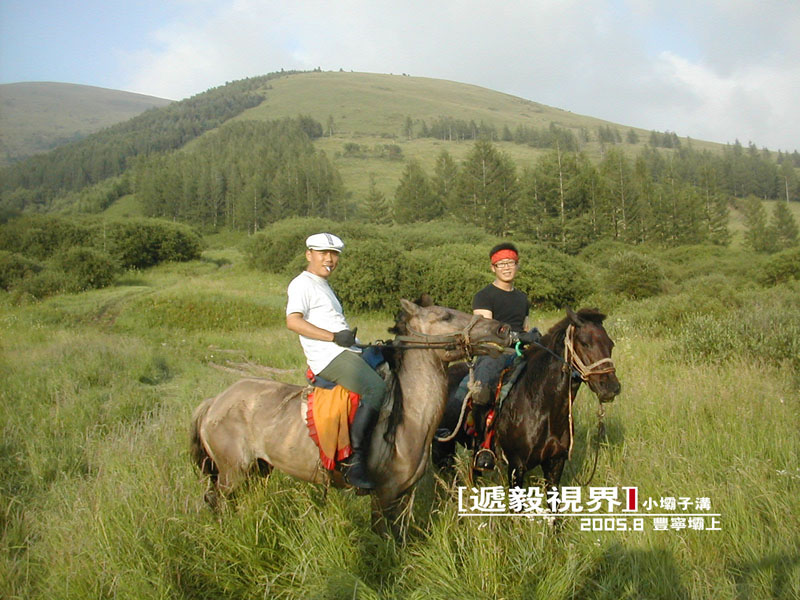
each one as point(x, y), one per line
point(717, 70)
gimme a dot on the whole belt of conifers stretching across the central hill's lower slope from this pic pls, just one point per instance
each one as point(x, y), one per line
point(247, 175)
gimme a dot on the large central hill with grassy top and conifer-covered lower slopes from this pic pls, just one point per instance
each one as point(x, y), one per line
point(340, 145)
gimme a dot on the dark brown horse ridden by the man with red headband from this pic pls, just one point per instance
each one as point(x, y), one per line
point(533, 426)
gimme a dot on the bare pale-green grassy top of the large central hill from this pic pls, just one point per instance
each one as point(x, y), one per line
point(371, 110)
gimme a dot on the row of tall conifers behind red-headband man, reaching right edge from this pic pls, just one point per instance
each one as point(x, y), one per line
point(565, 200)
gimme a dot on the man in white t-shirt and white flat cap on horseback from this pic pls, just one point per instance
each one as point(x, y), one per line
point(314, 312)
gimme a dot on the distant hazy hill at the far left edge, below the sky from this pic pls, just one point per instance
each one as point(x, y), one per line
point(36, 117)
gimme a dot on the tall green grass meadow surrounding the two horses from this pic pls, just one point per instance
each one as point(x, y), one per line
point(100, 499)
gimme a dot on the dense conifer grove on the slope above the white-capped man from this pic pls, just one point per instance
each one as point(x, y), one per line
point(244, 176)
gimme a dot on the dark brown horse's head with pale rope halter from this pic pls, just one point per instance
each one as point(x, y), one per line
point(588, 350)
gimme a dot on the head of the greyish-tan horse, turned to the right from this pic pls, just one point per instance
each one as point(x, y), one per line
point(457, 334)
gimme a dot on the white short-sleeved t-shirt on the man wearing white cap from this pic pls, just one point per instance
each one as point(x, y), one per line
point(312, 296)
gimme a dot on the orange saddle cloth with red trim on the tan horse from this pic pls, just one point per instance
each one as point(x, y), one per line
point(329, 415)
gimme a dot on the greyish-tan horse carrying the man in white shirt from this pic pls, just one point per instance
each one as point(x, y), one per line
point(256, 424)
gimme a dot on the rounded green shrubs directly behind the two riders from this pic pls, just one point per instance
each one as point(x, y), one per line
point(447, 260)
